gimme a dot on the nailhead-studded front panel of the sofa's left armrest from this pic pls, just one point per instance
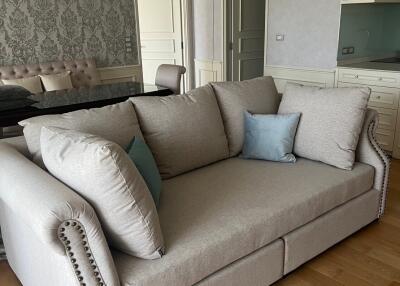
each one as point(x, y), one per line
point(73, 236)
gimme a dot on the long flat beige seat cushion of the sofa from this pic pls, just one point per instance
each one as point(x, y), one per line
point(215, 215)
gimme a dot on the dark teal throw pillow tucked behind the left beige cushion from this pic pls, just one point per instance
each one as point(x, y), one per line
point(141, 155)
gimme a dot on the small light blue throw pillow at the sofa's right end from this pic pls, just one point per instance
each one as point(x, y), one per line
point(270, 137)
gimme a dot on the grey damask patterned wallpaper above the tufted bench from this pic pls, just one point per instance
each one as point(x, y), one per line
point(33, 31)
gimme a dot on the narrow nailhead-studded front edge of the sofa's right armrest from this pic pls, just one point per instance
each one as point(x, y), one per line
point(386, 162)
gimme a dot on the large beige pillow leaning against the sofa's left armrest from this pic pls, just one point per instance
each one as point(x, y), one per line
point(101, 172)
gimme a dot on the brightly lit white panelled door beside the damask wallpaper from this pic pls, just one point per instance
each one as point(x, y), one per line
point(160, 35)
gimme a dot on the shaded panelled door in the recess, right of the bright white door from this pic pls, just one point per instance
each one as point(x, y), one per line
point(247, 34)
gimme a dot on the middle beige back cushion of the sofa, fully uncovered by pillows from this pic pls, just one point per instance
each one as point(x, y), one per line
point(184, 132)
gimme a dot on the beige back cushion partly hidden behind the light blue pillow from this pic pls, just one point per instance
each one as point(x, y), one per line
point(257, 96)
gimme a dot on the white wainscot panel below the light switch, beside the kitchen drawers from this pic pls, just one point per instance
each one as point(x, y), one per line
point(306, 76)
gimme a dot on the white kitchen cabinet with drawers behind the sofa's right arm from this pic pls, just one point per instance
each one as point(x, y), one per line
point(385, 96)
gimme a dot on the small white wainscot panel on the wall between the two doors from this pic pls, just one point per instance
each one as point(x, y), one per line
point(208, 71)
